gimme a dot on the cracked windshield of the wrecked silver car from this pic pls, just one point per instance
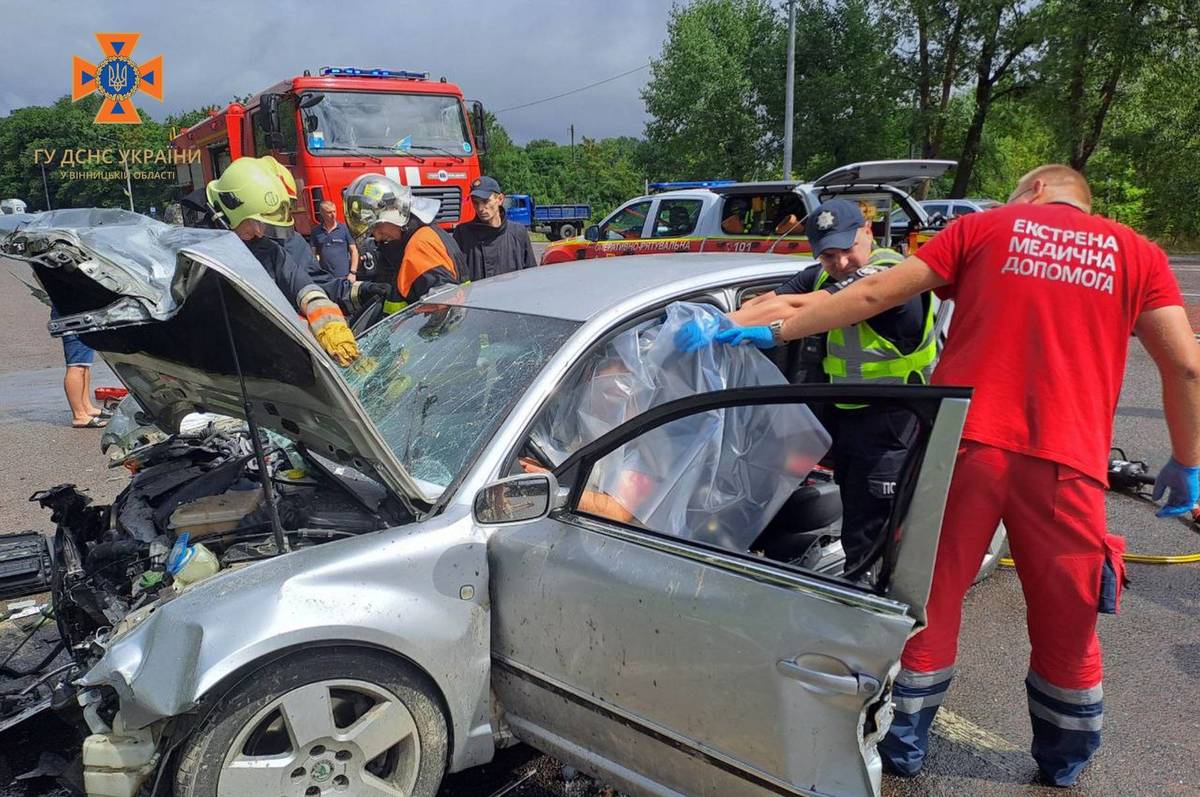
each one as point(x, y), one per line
point(437, 381)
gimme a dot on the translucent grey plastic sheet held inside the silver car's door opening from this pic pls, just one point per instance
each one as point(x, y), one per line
point(718, 477)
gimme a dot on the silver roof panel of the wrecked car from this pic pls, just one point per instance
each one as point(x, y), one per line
point(559, 291)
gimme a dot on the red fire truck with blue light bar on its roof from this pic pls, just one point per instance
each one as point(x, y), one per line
point(345, 122)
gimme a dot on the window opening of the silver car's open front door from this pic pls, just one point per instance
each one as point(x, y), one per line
point(751, 481)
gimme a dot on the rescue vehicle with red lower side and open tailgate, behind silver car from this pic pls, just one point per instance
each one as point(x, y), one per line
point(760, 218)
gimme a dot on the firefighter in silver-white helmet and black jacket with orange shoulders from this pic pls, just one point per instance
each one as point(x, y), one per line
point(416, 255)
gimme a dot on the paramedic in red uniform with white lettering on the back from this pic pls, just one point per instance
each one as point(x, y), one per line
point(1046, 298)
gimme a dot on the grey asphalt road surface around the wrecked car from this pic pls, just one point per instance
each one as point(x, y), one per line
point(1153, 650)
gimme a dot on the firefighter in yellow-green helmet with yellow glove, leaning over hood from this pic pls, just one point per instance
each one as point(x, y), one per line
point(250, 195)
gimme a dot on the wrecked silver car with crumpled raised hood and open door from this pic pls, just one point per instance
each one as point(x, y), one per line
point(519, 518)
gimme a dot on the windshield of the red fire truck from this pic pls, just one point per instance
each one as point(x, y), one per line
point(375, 122)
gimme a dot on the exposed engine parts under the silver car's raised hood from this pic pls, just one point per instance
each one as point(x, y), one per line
point(194, 506)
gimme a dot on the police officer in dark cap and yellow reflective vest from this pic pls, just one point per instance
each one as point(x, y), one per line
point(896, 347)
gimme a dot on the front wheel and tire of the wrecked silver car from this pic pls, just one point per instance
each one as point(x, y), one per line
point(308, 724)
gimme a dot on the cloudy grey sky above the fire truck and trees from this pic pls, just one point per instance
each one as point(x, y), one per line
point(502, 53)
